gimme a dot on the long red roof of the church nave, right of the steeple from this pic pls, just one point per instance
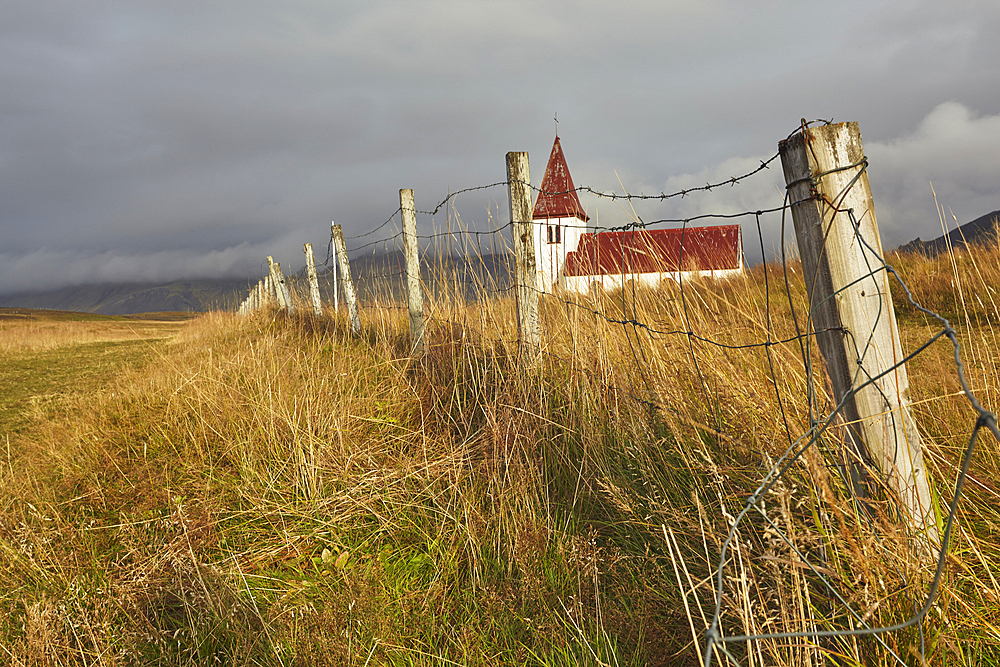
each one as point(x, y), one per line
point(656, 251)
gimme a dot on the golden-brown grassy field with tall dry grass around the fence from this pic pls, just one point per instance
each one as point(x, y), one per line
point(274, 491)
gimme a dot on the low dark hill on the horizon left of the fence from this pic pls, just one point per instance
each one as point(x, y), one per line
point(131, 298)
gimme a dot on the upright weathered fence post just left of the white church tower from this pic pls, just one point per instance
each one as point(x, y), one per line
point(525, 273)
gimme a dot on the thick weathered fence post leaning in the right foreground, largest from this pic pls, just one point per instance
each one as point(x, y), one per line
point(852, 312)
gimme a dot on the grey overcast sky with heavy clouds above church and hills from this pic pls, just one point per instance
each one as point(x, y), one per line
point(157, 140)
